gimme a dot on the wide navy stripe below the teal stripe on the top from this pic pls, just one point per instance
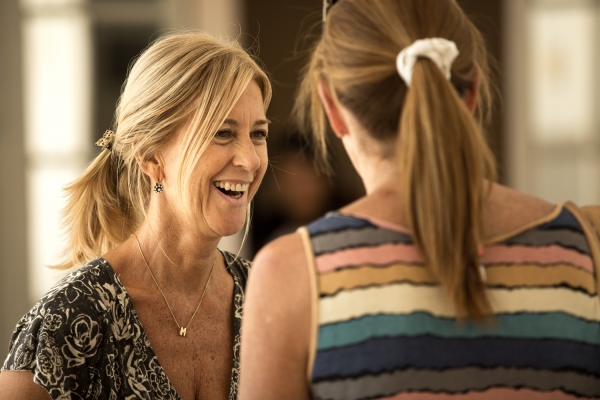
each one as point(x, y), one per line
point(388, 354)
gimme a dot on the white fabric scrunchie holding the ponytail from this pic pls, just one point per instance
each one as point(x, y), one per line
point(441, 51)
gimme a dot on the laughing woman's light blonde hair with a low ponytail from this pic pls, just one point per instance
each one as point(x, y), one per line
point(188, 79)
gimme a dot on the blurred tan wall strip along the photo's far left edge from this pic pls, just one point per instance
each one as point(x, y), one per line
point(13, 253)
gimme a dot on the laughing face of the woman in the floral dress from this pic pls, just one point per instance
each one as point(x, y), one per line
point(229, 172)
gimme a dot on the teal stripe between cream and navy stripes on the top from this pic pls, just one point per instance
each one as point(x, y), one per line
point(555, 325)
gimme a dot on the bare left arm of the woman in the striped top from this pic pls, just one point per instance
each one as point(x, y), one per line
point(276, 324)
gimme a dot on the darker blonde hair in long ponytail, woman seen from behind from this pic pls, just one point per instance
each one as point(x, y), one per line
point(443, 155)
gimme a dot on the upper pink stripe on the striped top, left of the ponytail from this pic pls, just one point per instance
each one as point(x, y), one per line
point(386, 254)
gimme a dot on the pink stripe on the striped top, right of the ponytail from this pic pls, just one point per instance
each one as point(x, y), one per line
point(502, 254)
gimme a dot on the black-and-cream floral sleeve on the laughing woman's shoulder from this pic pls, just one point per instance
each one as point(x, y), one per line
point(81, 332)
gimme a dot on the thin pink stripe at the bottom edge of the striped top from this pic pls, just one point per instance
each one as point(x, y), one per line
point(491, 394)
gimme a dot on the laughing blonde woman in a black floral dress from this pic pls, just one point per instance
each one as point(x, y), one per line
point(157, 315)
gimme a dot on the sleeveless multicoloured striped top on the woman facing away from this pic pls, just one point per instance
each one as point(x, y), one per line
point(383, 328)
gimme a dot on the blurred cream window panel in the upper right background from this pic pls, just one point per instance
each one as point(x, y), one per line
point(553, 98)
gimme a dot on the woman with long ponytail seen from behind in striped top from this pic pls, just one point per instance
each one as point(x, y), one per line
point(439, 283)
